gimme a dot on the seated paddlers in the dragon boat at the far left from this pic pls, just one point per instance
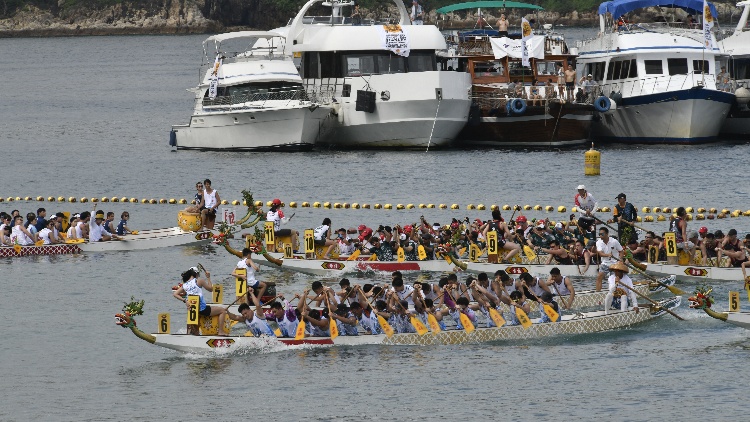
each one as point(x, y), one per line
point(42, 229)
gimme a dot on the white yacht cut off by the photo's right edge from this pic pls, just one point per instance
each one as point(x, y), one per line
point(737, 49)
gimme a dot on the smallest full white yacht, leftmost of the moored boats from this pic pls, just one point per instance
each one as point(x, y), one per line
point(250, 98)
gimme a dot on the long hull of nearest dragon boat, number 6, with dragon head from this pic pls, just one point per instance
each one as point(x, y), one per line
point(573, 324)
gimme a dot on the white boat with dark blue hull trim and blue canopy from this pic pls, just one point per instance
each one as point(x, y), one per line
point(660, 76)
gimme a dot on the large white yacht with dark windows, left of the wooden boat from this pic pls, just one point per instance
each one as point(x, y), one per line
point(381, 79)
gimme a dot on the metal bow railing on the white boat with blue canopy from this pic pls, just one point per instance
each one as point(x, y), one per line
point(657, 84)
